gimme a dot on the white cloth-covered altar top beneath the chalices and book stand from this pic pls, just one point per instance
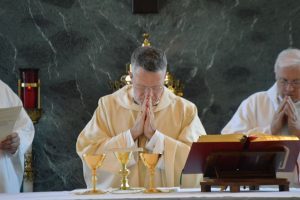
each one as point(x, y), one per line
point(192, 193)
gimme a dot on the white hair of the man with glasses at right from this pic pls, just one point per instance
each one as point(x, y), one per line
point(287, 58)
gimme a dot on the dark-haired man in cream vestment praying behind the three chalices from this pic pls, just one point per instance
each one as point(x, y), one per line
point(144, 114)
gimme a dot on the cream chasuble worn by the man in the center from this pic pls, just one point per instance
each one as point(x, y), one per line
point(178, 126)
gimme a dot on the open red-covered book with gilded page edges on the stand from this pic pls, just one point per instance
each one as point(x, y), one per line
point(239, 155)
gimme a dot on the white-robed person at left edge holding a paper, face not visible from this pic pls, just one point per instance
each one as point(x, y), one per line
point(15, 145)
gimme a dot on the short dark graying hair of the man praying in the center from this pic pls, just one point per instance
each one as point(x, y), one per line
point(149, 58)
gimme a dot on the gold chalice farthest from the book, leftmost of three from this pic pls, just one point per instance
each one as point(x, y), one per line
point(94, 162)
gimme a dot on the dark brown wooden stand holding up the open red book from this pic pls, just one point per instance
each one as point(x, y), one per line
point(251, 169)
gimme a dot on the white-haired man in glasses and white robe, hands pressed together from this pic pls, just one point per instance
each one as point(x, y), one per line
point(277, 110)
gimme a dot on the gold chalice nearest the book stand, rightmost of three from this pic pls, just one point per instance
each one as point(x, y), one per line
point(150, 161)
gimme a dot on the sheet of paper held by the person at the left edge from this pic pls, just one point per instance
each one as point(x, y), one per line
point(8, 118)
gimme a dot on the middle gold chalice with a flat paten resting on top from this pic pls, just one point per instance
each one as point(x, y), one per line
point(123, 155)
